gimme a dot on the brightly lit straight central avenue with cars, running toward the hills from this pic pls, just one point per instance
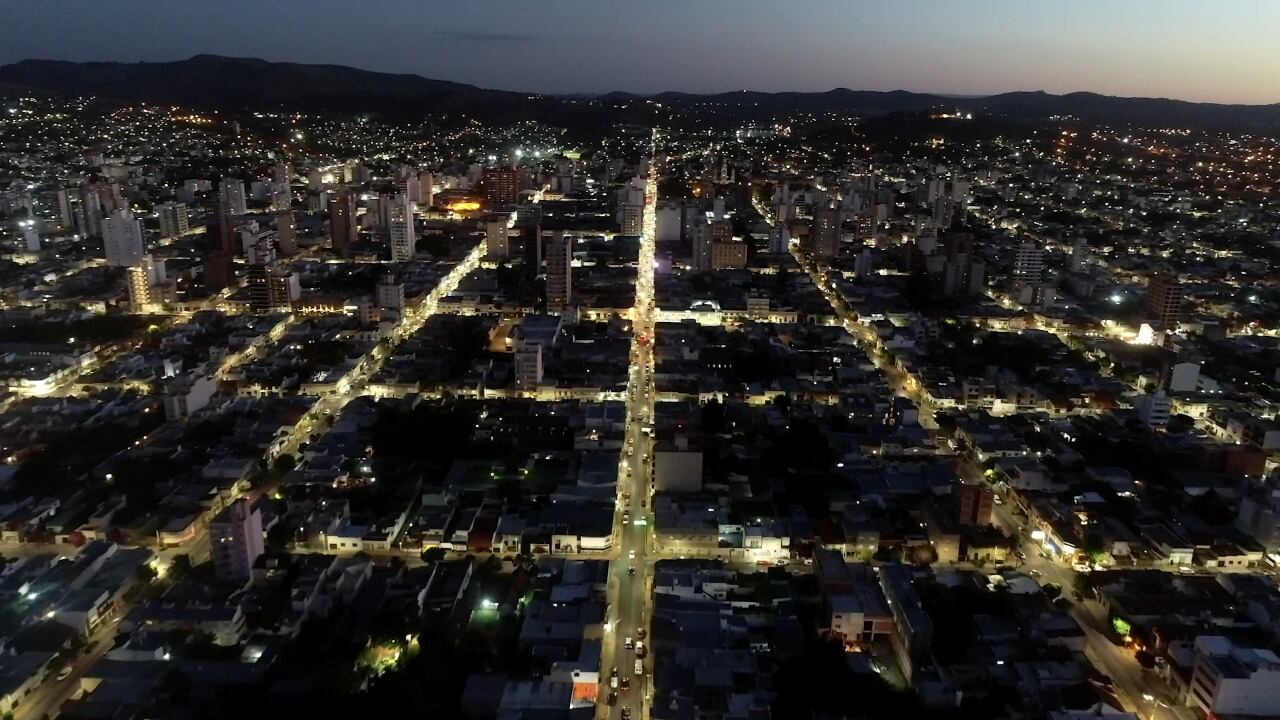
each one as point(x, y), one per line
point(630, 575)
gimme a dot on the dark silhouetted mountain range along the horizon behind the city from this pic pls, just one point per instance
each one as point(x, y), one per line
point(239, 84)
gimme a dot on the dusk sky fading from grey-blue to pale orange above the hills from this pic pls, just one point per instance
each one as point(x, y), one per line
point(1223, 52)
